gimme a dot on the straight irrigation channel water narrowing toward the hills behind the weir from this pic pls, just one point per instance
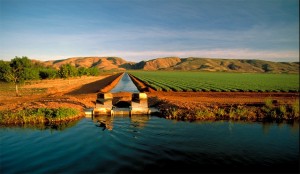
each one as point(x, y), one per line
point(125, 84)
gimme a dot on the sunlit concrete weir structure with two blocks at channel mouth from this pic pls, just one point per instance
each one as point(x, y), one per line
point(138, 105)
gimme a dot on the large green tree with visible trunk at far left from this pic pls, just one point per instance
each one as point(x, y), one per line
point(16, 71)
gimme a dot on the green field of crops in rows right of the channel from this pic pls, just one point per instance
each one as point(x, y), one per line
point(225, 82)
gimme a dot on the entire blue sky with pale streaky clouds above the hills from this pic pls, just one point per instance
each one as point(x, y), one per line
point(146, 29)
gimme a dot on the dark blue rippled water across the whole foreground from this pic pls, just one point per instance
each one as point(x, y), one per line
point(143, 143)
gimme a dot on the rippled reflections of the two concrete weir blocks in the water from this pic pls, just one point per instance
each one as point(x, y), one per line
point(106, 122)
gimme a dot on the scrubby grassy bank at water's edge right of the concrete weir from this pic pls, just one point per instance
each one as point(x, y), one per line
point(270, 111)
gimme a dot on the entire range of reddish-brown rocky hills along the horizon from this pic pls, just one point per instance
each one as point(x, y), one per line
point(184, 64)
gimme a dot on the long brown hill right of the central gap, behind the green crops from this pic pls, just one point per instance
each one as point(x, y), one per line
point(223, 65)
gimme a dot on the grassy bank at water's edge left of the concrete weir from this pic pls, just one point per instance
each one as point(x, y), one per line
point(40, 115)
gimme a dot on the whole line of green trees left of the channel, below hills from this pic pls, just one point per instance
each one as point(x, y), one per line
point(21, 69)
